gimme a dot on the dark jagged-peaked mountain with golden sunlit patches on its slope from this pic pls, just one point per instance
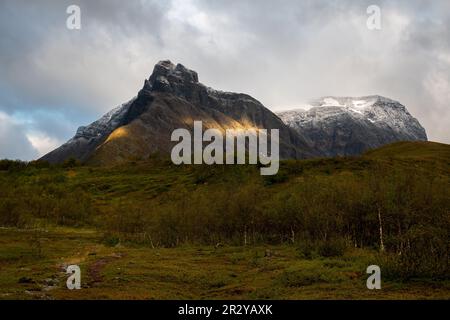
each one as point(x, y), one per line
point(172, 98)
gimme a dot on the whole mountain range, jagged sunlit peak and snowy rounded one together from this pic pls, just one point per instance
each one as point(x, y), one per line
point(172, 97)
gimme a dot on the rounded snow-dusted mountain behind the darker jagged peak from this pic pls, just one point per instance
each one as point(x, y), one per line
point(350, 126)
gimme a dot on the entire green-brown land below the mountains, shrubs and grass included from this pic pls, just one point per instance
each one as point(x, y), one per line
point(150, 230)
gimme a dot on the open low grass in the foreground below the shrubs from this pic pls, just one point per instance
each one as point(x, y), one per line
point(187, 272)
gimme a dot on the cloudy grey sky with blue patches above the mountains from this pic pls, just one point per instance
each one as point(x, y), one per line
point(284, 53)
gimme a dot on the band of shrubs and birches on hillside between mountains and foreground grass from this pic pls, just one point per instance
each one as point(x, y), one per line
point(394, 203)
